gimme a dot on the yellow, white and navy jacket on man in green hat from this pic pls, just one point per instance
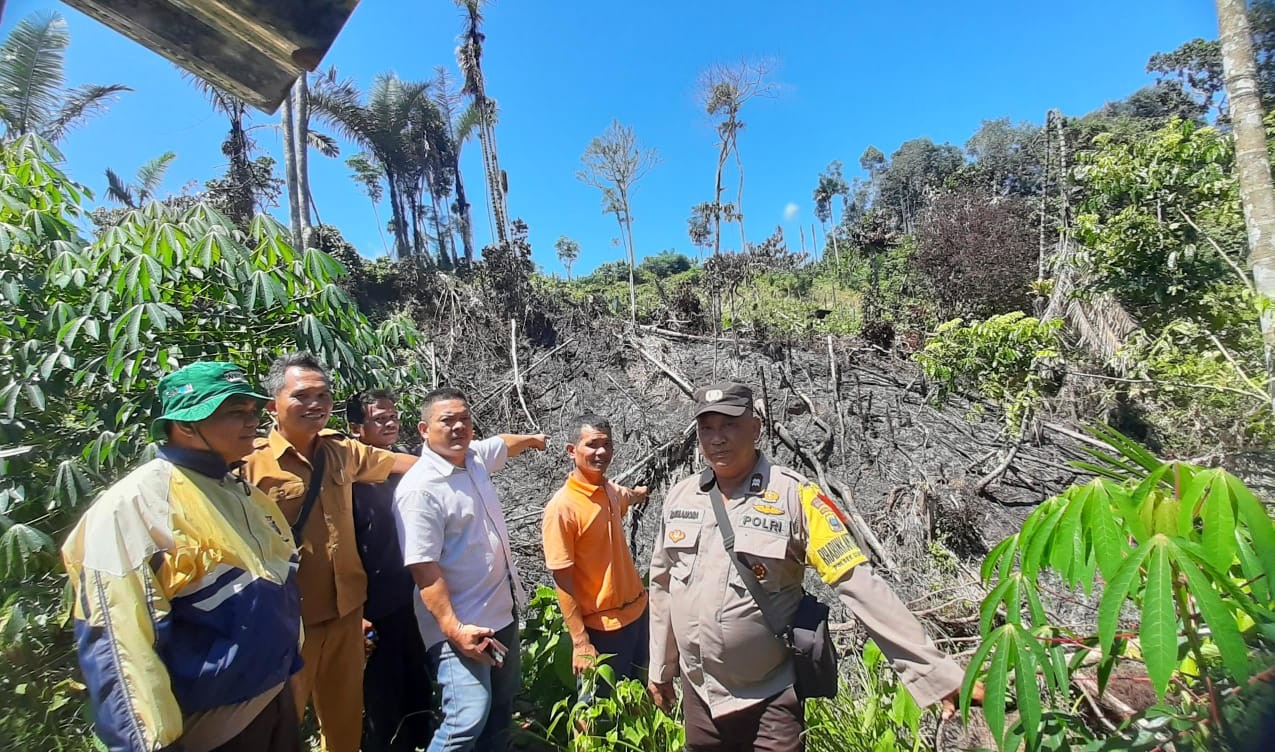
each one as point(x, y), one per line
point(186, 598)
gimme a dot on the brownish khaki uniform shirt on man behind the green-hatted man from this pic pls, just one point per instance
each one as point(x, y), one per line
point(332, 579)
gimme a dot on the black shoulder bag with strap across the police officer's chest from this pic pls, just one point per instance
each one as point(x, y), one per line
point(808, 637)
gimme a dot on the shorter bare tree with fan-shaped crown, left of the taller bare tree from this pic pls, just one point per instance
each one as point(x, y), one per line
point(614, 164)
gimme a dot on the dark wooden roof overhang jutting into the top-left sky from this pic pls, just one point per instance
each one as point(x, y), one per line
point(253, 49)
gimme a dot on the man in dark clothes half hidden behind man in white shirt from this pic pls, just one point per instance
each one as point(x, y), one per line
point(398, 689)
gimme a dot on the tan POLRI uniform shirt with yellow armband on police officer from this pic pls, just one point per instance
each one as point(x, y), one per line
point(706, 626)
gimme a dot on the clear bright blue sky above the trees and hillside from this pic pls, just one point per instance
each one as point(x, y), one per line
point(854, 75)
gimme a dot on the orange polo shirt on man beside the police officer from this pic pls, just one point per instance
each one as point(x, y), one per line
point(582, 531)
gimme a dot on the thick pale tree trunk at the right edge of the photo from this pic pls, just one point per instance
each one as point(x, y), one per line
point(1253, 163)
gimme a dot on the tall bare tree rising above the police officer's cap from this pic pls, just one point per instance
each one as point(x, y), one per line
point(724, 91)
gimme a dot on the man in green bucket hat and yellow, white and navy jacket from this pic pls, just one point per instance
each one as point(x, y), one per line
point(187, 609)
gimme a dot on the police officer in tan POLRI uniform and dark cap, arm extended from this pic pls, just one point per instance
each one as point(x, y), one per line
point(738, 677)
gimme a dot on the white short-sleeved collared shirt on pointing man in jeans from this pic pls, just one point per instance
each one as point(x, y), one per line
point(452, 516)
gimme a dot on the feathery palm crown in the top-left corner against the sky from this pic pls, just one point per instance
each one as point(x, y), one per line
point(33, 73)
